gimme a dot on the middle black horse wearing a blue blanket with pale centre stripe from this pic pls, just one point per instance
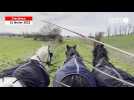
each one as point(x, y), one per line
point(74, 72)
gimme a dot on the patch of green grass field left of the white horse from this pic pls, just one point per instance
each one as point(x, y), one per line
point(15, 50)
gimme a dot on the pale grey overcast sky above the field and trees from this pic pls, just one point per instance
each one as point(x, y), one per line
point(83, 22)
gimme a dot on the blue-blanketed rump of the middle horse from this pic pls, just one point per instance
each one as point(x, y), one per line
point(68, 73)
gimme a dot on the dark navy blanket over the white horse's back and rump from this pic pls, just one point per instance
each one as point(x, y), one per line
point(32, 74)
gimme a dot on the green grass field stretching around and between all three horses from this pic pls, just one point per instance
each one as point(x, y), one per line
point(16, 50)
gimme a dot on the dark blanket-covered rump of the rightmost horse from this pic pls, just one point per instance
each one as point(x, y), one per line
point(106, 81)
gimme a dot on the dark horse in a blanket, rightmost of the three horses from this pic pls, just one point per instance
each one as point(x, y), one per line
point(101, 61)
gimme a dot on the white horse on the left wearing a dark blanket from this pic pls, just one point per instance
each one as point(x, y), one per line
point(31, 73)
